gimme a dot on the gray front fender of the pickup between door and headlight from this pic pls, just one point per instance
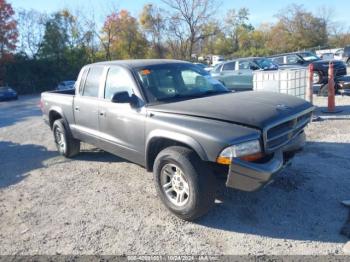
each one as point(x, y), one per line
point(208, 137)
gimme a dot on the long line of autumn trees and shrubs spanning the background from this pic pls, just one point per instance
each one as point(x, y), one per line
point(63, 42)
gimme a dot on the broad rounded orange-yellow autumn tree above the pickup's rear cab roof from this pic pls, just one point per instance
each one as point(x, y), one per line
point(122, 36)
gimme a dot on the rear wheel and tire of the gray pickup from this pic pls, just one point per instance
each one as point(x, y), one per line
point(66, 145)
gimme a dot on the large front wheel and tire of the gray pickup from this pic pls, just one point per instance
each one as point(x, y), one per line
point(181, 166)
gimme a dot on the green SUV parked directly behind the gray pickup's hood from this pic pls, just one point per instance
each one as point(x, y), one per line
point(238, 74)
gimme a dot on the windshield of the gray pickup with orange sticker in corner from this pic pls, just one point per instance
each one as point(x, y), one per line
point(177, 81)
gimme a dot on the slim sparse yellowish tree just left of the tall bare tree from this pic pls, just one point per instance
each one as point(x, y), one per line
point(152, 23)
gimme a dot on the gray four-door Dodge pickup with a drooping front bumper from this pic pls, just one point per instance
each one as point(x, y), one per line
point(174, 119)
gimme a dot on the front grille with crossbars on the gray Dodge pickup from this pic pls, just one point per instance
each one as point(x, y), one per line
point(280, 134)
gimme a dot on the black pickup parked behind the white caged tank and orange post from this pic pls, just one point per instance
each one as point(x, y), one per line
point(305, 59)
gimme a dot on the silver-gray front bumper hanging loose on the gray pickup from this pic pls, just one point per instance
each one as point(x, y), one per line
point(249, 176)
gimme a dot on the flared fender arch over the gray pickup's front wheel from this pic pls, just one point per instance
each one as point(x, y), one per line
point(160, 139)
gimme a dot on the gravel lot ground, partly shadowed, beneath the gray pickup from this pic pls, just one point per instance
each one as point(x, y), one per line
point(98, 203)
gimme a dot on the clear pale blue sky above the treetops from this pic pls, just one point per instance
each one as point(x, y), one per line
point(261, 11)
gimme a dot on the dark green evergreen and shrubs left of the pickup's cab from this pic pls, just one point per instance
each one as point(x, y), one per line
point(60, 58)
